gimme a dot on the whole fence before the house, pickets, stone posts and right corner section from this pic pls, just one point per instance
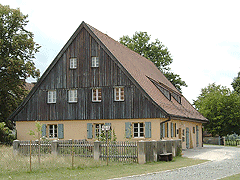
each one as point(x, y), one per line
point(127, 152)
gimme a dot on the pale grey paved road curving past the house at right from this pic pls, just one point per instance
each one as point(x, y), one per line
point(225, 161)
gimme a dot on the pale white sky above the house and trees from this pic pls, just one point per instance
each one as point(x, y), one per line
point(202, 36)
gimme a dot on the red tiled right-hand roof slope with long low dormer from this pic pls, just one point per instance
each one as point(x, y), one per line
point(140, 69)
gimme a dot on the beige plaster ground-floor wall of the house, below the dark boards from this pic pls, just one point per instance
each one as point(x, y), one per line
point(77, 129)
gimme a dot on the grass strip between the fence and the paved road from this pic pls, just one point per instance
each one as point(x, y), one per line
point(59, 167)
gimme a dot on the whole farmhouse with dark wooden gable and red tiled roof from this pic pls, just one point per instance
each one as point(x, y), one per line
point(94, 80)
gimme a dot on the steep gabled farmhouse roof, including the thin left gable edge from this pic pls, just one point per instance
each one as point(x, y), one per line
point(140, 69)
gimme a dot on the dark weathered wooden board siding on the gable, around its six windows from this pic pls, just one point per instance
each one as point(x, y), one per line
point(108, 75)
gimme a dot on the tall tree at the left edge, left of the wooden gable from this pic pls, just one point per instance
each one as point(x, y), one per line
point(17, 51)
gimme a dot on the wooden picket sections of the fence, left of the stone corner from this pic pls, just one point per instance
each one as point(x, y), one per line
point(114, 151)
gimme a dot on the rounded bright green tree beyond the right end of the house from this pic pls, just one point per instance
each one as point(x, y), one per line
point(221, 107)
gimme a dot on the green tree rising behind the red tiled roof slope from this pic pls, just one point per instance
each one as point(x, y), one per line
point(154, 51)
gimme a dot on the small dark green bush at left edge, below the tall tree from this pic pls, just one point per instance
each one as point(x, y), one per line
point(6, 135)
